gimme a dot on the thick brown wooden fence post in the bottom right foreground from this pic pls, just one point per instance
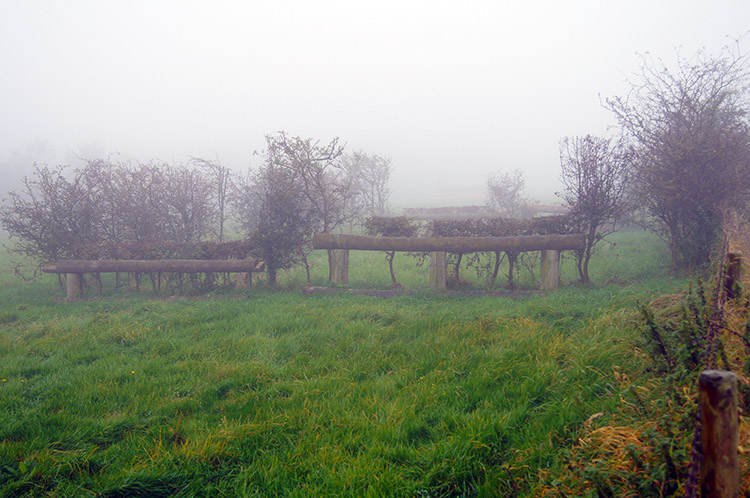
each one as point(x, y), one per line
point(720, 470)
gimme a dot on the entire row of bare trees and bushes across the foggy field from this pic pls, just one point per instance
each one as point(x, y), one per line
point(682, 158)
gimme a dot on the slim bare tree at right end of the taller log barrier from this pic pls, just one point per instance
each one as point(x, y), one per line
point(594, 176)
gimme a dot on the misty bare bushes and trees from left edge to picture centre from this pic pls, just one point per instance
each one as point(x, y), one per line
point(113, 209)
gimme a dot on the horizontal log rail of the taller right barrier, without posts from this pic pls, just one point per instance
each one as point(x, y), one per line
point(450, 244)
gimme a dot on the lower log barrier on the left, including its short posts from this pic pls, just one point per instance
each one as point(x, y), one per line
point(75, 268)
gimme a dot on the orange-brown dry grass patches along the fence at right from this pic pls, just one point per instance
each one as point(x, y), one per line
point(621, 446)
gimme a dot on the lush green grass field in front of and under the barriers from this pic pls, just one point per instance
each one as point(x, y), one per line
point(276, 393)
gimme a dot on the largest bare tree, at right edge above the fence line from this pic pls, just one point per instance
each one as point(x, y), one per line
point(690, 135)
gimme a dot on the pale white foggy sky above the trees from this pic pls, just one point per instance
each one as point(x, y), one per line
point(450, 91)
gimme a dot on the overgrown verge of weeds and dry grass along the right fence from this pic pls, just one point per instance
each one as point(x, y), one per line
point(646, 448)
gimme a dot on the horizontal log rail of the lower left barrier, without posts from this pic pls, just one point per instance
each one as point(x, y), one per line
point(155, 265)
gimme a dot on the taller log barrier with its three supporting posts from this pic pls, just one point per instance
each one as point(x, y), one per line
point(549, 245)
